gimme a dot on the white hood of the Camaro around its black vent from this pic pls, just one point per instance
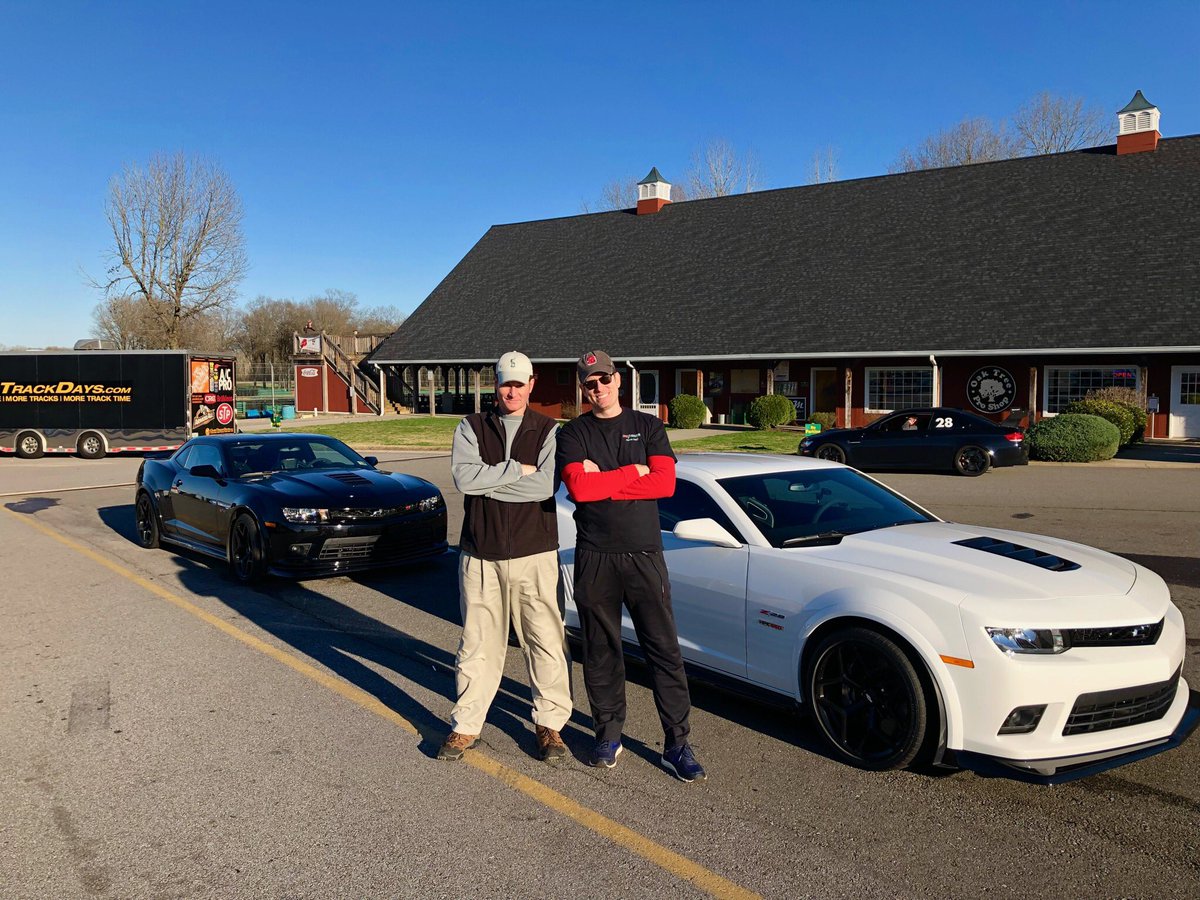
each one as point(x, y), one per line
point(929, 553)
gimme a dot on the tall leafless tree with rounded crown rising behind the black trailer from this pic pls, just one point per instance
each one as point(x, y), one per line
point(179, 247)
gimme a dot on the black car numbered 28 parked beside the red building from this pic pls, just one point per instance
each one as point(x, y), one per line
point(938, 439)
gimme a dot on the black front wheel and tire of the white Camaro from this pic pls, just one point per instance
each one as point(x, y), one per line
point(868, 700)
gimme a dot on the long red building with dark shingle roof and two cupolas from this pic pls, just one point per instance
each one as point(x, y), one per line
point(1049, 275)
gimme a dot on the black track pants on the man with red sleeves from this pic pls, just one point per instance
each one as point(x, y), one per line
point(603, 583)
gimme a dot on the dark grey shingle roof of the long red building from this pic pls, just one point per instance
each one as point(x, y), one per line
point(1078, 250)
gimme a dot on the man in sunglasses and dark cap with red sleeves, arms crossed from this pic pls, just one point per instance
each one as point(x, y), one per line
point(616, 465)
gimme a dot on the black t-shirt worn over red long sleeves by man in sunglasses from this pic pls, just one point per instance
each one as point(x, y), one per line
point(633, 437)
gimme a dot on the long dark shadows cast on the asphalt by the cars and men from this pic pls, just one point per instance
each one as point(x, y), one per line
point(350, 644)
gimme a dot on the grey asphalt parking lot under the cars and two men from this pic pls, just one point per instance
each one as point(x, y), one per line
point(169, 734)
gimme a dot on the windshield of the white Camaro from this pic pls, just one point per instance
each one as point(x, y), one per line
point(805, 507)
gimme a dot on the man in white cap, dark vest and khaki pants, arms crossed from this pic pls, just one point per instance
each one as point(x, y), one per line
point(503, 463)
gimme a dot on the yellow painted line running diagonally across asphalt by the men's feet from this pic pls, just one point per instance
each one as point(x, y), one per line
point(634, 842)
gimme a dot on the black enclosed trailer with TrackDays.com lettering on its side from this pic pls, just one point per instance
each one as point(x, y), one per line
point(98, 403)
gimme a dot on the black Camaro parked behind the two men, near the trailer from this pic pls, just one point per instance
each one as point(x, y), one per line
point(290, 505)
